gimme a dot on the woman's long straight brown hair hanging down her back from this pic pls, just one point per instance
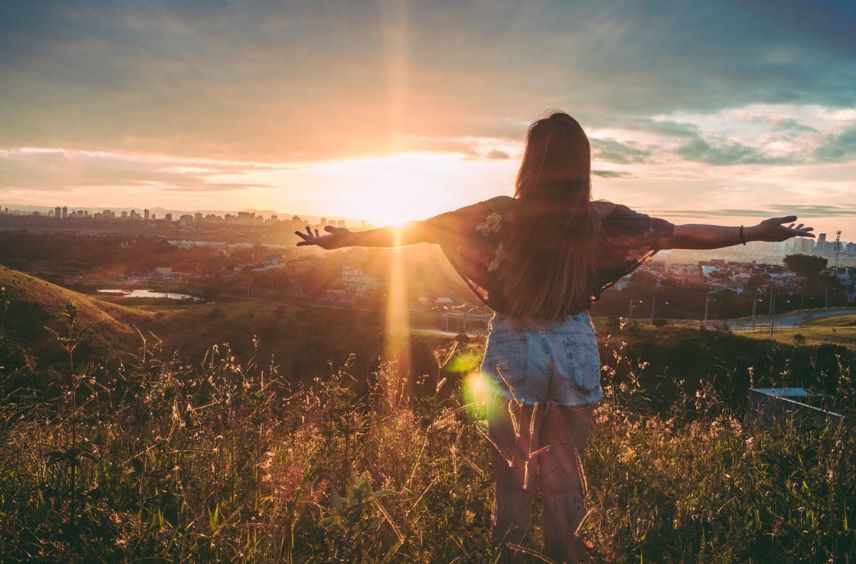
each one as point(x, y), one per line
point(550, 252)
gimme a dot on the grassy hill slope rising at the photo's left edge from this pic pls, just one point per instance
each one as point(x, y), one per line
point(29, 304)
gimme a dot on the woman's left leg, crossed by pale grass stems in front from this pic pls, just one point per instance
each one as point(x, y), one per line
point(516, 477)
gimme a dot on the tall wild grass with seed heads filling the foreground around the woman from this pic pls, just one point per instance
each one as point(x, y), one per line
point(161, 459)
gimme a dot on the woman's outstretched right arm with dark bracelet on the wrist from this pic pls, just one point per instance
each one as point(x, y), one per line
point(699, 236)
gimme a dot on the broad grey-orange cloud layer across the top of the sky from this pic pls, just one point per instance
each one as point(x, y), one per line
point(297, 81)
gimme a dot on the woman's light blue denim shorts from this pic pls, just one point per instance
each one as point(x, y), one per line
point(554, 362)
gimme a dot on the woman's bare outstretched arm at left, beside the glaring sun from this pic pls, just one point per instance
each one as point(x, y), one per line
point(392, 236)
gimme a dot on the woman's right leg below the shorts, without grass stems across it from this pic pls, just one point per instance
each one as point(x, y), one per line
point(564, 431)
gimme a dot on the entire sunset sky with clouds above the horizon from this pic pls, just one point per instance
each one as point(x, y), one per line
point(719, 112)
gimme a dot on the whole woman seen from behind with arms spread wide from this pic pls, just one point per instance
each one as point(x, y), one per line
point(539, 260)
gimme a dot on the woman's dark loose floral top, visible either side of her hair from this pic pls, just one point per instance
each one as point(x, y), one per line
point(472, 238)
